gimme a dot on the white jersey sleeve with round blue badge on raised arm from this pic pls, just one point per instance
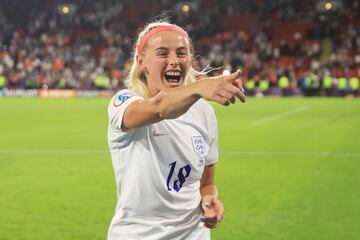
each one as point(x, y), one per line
point(118, 105)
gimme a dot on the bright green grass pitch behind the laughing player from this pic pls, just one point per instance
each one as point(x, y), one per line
point(289, 169)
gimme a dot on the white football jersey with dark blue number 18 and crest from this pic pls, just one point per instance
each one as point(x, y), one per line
point(157, 172)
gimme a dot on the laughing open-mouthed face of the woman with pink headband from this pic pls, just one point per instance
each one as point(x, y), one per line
point(166, 60)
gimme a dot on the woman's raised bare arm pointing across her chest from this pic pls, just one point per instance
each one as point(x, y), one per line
point(173, 102)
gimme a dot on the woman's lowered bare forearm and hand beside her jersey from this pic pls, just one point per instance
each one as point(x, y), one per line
point(212, 207)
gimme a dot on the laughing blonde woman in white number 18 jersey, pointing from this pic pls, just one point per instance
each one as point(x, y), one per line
point(163, 141)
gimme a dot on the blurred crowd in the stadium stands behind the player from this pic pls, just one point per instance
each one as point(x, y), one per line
point(286, 47)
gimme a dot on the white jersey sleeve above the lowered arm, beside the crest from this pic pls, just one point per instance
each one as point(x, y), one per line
point(213, 153)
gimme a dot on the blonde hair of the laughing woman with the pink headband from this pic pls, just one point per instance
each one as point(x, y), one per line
point(136, 80)
